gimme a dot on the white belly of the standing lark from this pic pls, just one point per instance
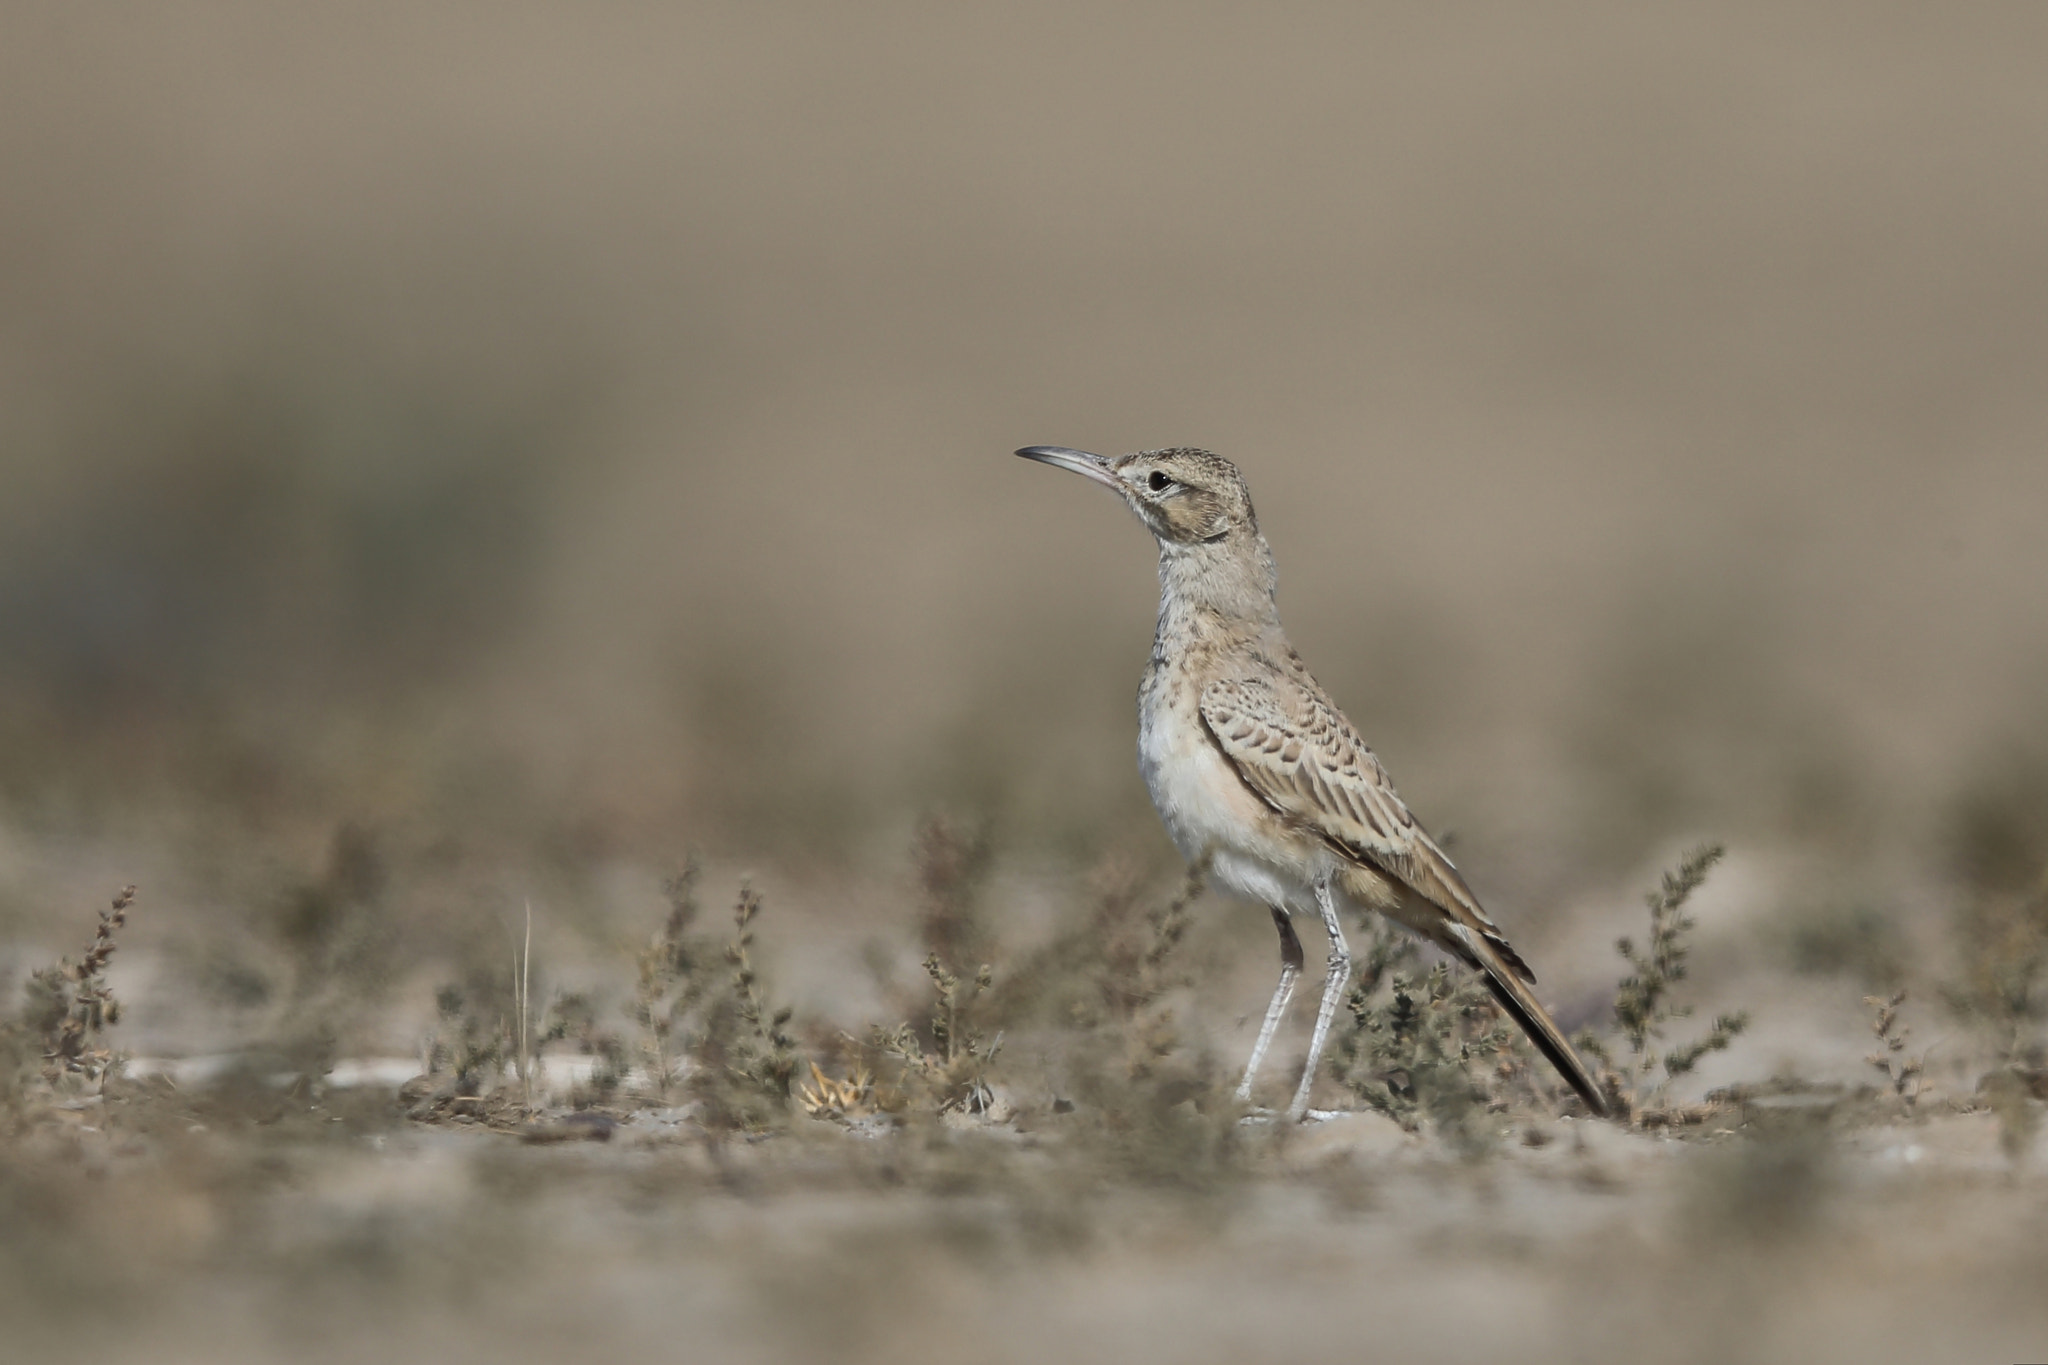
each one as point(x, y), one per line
point(1207, 807)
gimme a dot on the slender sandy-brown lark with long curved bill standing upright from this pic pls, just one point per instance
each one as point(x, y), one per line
point(1254, 768)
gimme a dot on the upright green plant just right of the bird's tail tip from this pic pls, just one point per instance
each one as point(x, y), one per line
point(1644, 1000)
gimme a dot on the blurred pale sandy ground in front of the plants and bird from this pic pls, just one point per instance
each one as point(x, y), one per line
point(337, 1235)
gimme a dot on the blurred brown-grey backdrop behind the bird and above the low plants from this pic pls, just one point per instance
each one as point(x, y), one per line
point(472, 453)
